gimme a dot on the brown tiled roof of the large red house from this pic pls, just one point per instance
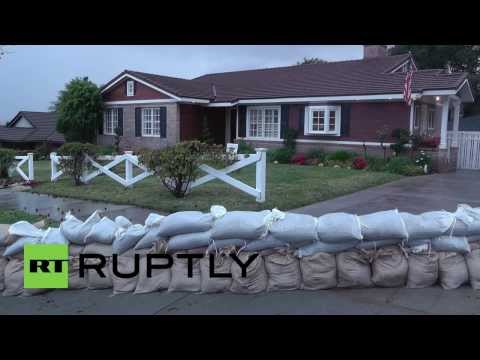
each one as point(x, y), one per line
point(343, 78)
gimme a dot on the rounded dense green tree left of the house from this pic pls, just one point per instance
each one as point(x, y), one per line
point(79, 109)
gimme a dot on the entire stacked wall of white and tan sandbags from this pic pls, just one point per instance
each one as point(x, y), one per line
point(294, 251)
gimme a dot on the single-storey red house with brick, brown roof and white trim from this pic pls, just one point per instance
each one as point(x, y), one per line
point(335, 105)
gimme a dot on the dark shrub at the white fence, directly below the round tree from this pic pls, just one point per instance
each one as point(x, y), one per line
point(75, 165)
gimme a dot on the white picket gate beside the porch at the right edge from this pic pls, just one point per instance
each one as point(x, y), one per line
point(468, 149)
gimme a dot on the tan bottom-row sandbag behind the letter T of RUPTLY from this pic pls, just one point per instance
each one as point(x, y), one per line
point(180, 280)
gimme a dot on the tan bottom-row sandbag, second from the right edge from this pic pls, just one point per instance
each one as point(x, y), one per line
point(452, 270)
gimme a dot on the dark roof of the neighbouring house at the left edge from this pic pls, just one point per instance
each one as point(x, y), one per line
point(43, 128)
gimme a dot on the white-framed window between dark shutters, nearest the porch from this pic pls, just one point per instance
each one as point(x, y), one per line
point(322, 120)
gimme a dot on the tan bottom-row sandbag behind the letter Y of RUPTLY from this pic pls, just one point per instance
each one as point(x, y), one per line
point(256, 279)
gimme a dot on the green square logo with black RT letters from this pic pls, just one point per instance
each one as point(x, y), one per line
point(45, 266)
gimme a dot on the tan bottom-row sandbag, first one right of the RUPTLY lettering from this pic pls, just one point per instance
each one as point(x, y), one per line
point(283, 270)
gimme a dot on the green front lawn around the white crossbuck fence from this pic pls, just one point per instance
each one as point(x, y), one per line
point(288, 187)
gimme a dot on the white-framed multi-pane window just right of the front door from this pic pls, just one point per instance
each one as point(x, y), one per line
point(263, 122)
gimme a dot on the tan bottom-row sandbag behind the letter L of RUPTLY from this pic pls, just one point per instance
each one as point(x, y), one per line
point(222, 264)
